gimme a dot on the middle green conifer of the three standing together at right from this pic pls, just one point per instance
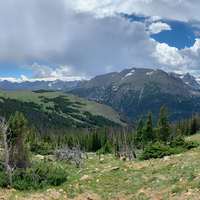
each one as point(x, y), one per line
point(148, 131)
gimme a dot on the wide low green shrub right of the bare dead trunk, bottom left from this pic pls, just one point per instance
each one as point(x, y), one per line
point(38, 176)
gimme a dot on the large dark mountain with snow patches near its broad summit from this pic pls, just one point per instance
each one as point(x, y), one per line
point(135, 91)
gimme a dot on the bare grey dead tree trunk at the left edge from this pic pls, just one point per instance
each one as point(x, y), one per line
point(6, 144)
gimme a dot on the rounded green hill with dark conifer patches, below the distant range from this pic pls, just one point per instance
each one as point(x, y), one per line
point(60, 110)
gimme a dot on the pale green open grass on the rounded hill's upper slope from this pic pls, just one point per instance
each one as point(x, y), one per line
point(83, 104)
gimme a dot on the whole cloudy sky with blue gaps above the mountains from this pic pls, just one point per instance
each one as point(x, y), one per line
point(80, 39)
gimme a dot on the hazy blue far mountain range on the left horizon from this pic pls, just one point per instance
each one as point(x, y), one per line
point(56, 85)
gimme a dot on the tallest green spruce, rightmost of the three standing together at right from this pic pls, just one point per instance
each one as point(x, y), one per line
point(163, 127)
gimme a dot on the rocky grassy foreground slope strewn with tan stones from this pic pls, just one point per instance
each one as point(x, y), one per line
point(173, 177)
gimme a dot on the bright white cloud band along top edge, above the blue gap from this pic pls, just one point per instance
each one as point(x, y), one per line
point(168, 9)
